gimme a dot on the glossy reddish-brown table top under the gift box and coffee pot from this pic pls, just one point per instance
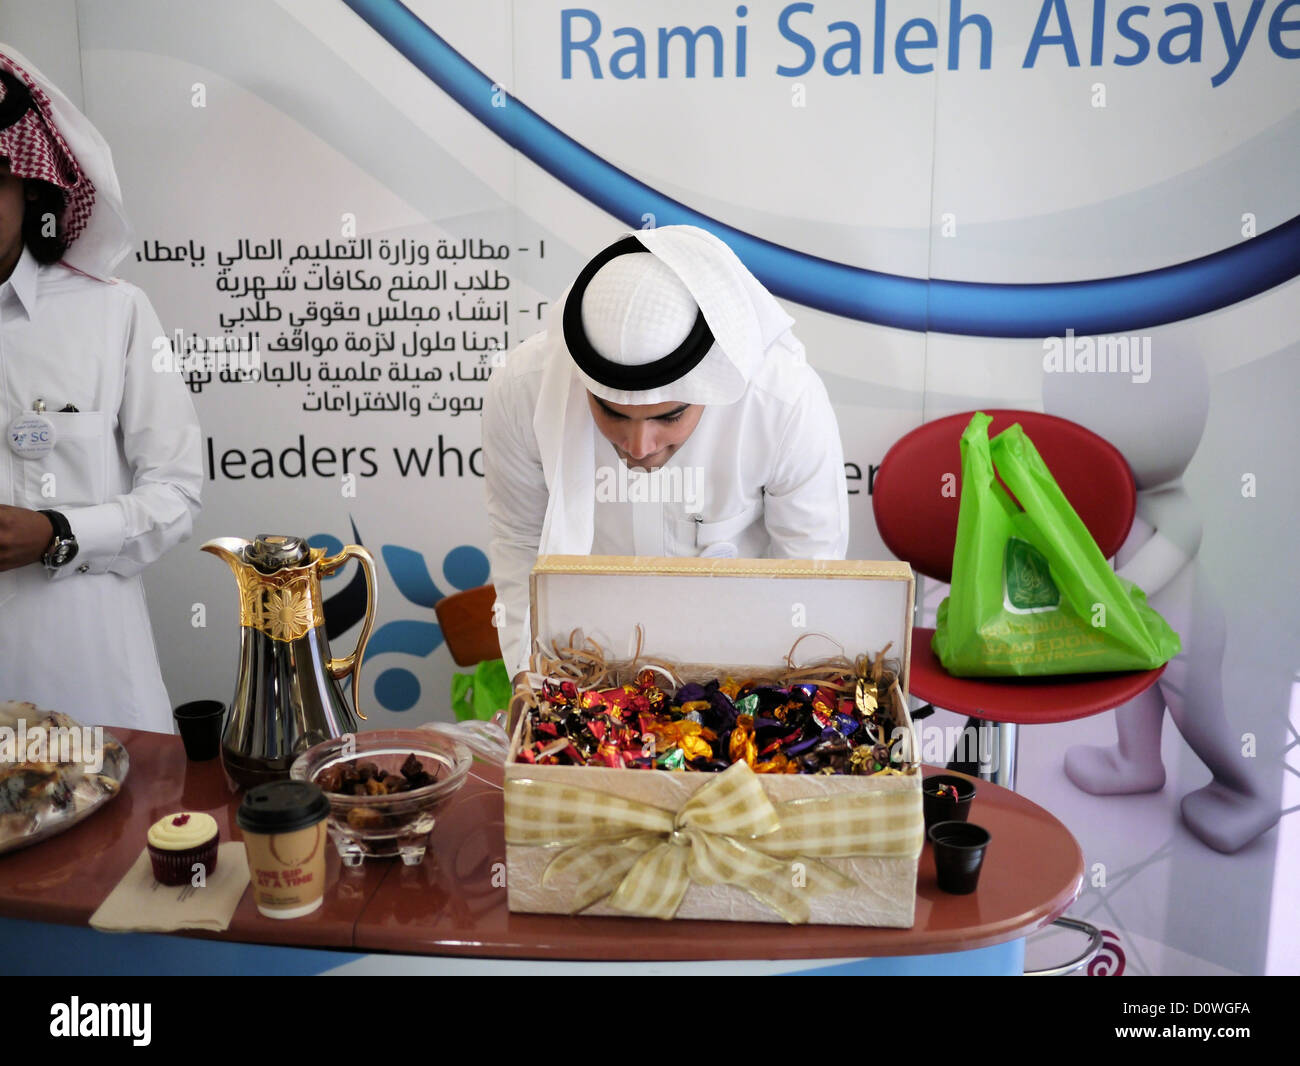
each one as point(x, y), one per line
point(454, 903)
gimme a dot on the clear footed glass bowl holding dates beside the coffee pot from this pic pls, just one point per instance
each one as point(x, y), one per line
point(366, 827)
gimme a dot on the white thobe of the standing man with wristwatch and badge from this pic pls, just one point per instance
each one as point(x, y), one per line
point(127, 471)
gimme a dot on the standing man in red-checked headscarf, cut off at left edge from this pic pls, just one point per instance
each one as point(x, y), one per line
point(102, 466)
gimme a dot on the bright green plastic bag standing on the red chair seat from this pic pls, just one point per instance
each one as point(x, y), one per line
point(1032, 592)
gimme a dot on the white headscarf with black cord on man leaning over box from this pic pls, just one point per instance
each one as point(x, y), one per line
point(679, 319)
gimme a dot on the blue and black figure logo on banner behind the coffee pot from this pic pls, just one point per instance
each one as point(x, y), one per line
point(465, 567)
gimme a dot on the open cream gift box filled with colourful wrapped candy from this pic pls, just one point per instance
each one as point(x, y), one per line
point(717, 739)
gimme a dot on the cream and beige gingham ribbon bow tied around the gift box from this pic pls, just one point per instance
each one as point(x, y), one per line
point(644, 859)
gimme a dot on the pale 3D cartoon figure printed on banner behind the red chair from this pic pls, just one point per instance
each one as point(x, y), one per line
point(1158, 426)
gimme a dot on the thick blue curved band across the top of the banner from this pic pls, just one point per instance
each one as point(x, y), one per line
point(1116, 305)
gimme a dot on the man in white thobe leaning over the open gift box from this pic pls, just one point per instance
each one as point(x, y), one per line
point(666, 410)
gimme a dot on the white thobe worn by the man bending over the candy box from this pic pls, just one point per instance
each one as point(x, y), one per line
point(760, 478)
